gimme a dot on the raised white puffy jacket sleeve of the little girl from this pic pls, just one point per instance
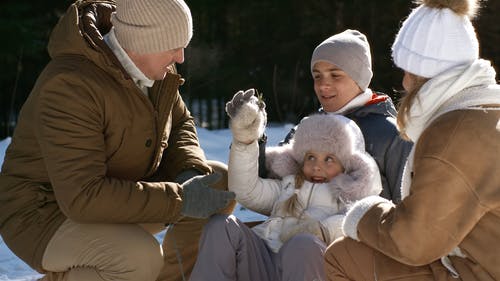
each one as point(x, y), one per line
point(254, 193)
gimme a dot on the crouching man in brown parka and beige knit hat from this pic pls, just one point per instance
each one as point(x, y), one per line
point(105, 153)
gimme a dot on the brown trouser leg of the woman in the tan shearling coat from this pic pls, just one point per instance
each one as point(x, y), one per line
point(347, 259)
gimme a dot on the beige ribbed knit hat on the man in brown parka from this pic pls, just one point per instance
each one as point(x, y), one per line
point(152, 26)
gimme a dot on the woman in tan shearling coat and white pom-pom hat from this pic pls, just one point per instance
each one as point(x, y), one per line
point(448, 223)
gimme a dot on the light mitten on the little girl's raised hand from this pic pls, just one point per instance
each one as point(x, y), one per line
point(248, 116)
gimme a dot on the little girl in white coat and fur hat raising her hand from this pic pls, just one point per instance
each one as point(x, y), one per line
point(322, 170)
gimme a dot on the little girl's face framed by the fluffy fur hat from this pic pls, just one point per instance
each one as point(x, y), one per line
point(320, 167)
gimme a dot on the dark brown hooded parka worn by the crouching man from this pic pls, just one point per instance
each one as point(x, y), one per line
point(89, 143)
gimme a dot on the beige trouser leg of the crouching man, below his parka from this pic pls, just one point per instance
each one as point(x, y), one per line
point(103, 252)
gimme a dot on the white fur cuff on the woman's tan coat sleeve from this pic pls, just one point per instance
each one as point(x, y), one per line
point(356, 213)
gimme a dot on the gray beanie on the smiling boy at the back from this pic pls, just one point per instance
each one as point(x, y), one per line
point(349, 51)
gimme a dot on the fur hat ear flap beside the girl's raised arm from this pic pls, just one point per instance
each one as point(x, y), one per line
point(280, 161)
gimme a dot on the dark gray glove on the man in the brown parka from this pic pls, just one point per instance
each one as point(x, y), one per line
point(199, 200)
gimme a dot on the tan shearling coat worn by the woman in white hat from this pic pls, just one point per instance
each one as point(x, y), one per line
point(454, 200)
